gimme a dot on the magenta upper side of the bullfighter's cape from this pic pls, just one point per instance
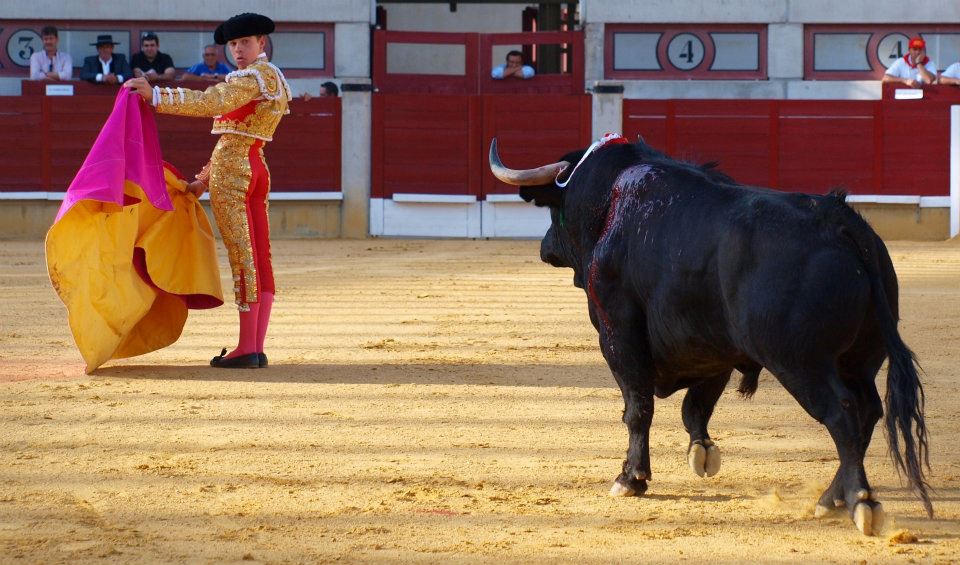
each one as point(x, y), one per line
point(127, 148)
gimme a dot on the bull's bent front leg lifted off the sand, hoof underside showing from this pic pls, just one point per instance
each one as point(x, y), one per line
point(698, 404)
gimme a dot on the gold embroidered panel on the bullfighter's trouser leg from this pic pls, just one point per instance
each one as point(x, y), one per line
point(230, 177)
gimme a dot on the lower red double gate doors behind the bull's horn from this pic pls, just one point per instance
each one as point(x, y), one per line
point(438, 144)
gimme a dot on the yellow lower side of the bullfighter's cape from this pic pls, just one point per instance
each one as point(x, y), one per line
point(93, 256)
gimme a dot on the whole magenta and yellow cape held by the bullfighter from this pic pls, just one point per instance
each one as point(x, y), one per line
point(130, 250)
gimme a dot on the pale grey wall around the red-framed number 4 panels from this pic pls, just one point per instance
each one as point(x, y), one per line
point(785, 19)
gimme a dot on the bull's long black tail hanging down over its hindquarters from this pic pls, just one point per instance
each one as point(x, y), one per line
point(904, 418)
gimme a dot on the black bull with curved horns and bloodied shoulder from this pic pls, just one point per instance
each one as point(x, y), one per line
point(689, 276)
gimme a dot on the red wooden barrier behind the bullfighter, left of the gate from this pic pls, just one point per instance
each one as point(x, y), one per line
point(55, 133)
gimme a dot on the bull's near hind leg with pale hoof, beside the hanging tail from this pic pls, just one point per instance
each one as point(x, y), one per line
point(825, 397)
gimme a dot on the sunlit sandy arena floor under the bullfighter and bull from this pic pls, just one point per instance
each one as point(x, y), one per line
point(432, 402)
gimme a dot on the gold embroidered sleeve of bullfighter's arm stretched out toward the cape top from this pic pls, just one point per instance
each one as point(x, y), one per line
point(219, 99)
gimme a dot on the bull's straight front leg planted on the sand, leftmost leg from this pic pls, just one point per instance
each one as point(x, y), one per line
point(625, 348)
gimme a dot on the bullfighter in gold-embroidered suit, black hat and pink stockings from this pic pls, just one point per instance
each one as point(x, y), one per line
point(245, 110)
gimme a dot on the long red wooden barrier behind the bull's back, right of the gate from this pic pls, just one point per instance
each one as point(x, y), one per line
point(883, 147)
